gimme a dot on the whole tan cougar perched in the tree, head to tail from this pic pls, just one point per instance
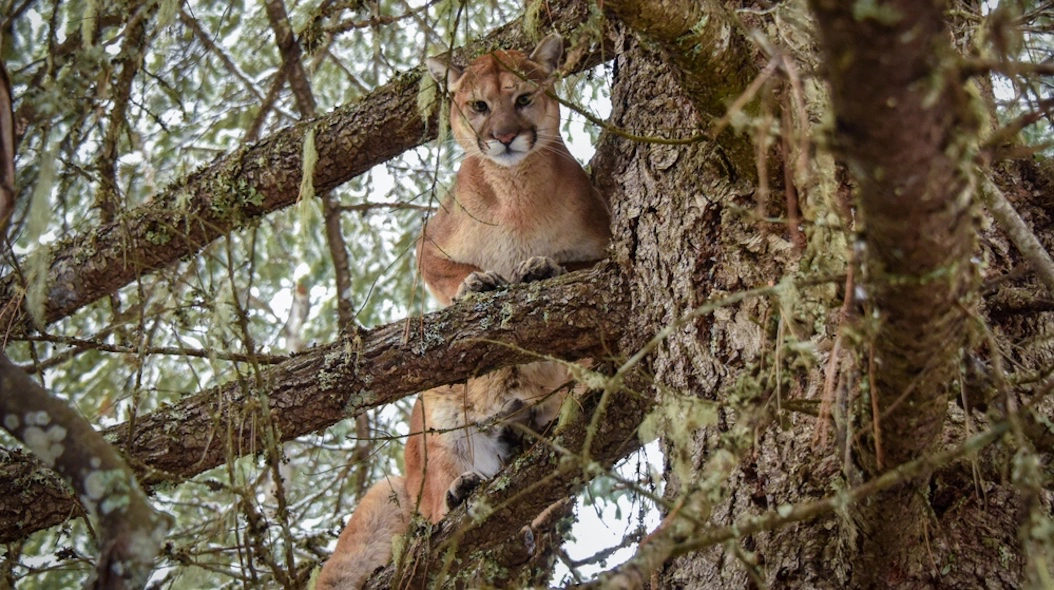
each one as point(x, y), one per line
point(519, 195)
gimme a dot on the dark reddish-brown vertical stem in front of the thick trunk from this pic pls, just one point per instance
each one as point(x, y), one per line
point(904, 128)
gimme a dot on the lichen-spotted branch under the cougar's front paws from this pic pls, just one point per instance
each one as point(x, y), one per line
point(574, 317)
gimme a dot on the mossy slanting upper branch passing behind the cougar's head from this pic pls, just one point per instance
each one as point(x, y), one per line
point(246, 185)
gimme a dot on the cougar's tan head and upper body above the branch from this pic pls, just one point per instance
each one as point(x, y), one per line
point(498, 215)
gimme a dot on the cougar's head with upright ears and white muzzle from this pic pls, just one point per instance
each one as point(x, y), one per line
point(500, 110)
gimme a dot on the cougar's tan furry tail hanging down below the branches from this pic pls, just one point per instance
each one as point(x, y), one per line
point(366, 543)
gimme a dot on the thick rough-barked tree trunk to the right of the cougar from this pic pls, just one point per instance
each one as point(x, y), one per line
point(687, 235)
